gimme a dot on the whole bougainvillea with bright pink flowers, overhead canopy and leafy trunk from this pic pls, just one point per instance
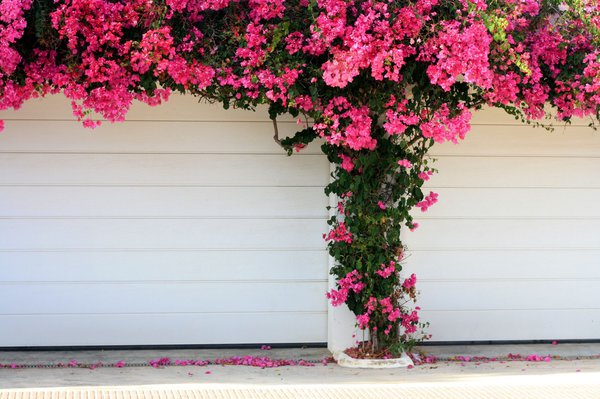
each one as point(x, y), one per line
point(381, 82)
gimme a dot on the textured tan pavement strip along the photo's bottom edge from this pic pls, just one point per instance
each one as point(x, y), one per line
point(362, 391)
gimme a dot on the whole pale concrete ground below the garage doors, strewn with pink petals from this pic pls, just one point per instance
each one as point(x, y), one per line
point(578, 376)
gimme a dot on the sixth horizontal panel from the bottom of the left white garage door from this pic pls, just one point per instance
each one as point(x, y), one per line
point(161, 169)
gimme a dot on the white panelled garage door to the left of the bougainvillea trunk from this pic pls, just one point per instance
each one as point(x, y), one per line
point(185, 225)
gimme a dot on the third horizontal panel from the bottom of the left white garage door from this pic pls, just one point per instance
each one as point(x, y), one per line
point(165, 266)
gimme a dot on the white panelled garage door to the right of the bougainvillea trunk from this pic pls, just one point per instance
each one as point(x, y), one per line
point(512, 249)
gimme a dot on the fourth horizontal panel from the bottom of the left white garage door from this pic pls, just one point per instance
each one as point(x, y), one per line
point(162, 234)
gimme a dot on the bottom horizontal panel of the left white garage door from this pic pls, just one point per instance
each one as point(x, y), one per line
point(163, 329)
